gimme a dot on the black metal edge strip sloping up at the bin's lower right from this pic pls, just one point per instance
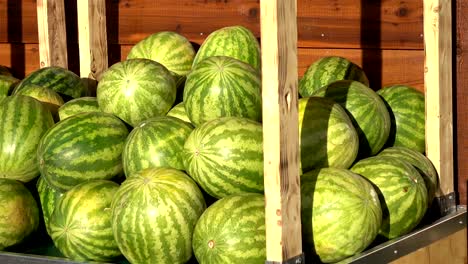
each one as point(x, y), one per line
point(399, 247)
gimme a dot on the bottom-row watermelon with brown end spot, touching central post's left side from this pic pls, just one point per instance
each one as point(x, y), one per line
point(232, 230)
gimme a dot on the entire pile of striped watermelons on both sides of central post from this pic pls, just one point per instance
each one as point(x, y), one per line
point(165, 163)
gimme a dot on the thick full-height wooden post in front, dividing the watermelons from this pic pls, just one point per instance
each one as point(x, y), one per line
point(280, 130)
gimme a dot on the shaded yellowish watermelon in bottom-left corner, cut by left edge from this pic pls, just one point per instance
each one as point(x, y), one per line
point(19, 216)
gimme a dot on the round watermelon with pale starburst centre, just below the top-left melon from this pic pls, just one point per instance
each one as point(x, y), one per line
point(135, 90)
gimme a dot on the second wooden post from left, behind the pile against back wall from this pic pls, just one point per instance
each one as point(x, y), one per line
point(92, 36)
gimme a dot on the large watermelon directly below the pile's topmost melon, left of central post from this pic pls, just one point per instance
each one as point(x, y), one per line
point(222, 86)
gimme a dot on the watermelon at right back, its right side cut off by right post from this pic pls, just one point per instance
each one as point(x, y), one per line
point(407, 112)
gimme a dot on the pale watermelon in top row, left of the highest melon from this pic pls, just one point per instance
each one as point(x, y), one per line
point(170, 49)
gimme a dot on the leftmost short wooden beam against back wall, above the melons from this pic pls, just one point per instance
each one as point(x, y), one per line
point(52, 33)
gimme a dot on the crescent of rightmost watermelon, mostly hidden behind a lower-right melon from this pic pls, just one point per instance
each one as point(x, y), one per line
point(421, 163)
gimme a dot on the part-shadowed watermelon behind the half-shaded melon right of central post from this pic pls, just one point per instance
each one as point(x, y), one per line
point(367, 111)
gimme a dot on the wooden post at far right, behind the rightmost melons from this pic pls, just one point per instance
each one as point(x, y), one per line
point(438, 92)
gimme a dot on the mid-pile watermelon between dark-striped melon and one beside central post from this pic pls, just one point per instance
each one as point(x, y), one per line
point(156, 142)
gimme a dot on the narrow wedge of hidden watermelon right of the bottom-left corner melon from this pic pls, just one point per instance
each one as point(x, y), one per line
point(48, 198)
